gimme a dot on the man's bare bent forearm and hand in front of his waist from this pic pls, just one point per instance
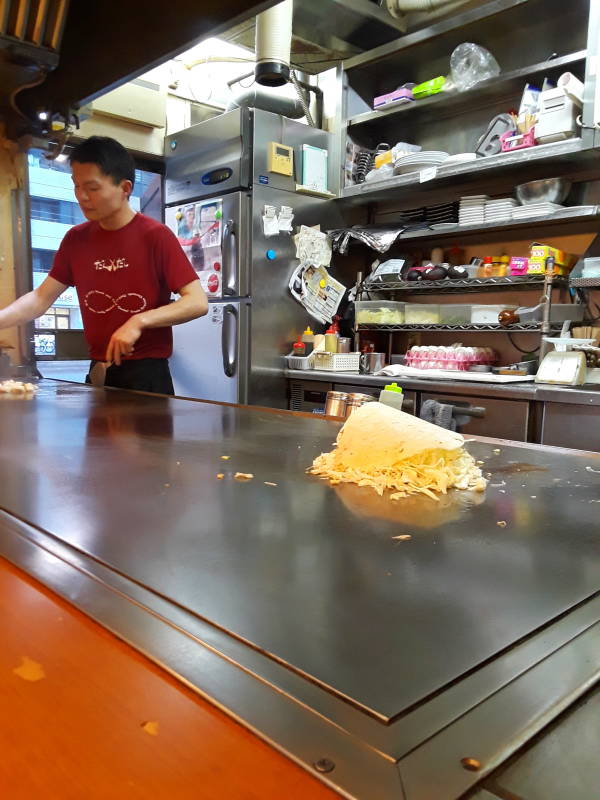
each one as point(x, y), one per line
point(192, 303)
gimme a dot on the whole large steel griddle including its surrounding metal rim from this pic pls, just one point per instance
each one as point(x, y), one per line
point(301, 588)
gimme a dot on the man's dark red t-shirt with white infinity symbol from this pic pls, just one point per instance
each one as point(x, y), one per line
point(120, 273)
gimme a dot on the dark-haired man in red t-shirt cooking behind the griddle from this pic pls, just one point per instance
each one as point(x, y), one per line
point(124, 266)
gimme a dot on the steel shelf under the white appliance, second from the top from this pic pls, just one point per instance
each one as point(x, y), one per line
point(571, 150)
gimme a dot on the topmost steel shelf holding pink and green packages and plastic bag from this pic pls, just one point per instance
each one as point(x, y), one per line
point(489, 88)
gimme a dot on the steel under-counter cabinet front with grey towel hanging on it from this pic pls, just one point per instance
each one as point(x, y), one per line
point(502, 419)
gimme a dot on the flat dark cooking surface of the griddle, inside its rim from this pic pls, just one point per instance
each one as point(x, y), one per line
point(306, 572)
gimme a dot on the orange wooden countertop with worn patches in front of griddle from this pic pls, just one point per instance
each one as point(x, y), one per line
point(73, 717)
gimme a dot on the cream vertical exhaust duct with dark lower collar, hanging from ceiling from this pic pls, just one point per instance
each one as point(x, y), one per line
point(273, 45)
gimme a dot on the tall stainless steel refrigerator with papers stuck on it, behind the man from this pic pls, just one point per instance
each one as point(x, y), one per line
point(217, 184)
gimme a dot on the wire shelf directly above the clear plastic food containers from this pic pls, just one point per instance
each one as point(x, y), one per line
point(448, 286)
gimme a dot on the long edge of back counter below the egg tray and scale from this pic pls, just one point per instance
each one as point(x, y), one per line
point(586, 395)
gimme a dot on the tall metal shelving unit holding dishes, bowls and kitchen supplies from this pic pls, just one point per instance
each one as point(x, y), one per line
point(531, 39)
